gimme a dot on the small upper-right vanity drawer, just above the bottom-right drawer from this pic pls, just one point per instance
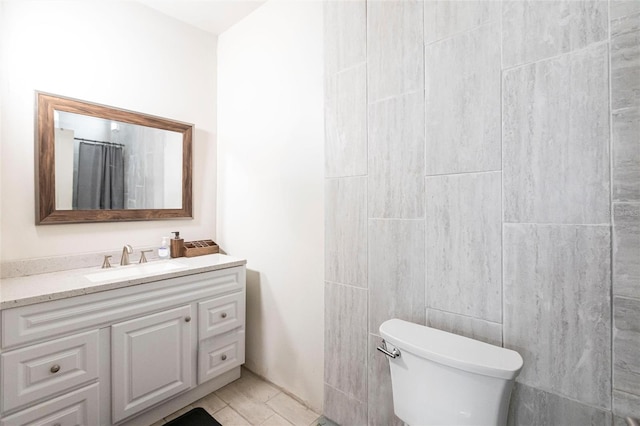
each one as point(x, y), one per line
point(219, 315)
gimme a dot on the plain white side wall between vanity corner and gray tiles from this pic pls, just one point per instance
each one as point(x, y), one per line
point(270, 188)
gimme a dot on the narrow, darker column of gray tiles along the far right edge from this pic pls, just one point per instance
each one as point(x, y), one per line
point(625, 132)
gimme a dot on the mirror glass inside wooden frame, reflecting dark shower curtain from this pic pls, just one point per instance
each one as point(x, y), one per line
point(107, 164)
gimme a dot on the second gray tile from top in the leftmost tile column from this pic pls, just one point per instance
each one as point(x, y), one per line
point(346, 123)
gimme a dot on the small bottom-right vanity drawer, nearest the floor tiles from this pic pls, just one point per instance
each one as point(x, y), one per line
point(220, 354)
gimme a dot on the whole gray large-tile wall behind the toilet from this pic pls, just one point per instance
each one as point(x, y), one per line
point(483, 177)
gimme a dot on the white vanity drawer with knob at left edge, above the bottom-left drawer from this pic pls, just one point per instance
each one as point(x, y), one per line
point(42, 370)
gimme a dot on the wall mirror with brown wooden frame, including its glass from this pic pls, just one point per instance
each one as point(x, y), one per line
point(96, 163)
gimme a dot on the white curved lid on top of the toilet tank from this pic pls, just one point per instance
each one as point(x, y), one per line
point(451, 349)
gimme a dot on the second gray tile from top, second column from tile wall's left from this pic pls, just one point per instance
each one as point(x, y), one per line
point(396, 157)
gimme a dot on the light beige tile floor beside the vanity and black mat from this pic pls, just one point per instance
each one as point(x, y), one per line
point(251, 401)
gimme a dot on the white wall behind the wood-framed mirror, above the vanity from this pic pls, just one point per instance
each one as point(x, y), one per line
point(116, 53)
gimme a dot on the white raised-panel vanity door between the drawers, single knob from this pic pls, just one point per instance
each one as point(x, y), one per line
point(151, 360)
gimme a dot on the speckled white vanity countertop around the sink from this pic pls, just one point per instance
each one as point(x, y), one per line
point(28, 290)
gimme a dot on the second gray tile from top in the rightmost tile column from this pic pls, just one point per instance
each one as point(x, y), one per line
point(625, 70)
